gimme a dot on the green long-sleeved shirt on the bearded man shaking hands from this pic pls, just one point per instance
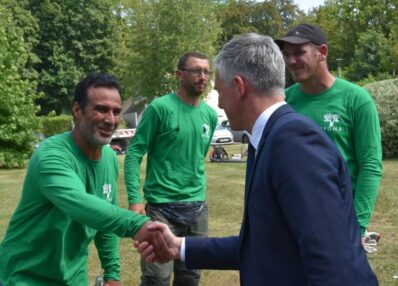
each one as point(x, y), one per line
point(65, 199)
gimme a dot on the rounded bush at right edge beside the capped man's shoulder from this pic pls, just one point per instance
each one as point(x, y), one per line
point(385, 95)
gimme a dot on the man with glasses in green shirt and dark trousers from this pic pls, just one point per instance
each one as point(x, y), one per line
point(175, 131)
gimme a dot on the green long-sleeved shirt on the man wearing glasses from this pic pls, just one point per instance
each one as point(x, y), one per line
point(176, 136)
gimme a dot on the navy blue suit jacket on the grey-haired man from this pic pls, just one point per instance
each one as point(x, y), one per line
point(299, 226)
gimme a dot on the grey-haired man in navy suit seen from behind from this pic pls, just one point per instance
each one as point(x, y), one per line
point(299, 226)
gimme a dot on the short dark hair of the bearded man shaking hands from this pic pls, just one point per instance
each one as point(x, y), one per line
point(95, 79)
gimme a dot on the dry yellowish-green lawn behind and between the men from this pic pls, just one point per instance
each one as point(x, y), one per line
point(225, 199)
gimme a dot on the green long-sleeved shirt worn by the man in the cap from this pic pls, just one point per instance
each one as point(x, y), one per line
point(347, 113)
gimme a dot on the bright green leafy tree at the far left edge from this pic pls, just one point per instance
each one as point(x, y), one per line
point(17, 121)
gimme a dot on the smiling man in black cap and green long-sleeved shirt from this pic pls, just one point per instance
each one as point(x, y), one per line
point(342, 109)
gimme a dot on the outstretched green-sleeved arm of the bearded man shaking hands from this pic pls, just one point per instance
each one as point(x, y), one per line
point(65, 191)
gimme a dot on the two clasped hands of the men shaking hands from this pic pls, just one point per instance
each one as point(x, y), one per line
point(156, 243)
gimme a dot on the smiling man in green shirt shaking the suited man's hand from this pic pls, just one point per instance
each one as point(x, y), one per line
point(69, 198)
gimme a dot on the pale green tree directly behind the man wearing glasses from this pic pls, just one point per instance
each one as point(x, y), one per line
point(163, 31)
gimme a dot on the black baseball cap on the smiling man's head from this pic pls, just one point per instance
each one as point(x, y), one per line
point(303, 33)
